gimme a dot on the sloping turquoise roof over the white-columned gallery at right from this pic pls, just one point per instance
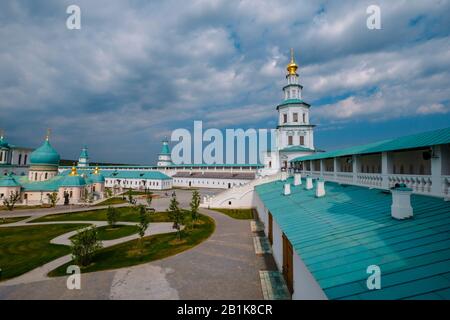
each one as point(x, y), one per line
point(420, 140)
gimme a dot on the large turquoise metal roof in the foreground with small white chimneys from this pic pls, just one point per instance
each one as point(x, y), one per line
point(339, 235)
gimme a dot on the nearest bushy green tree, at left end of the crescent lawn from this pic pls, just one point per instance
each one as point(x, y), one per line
point(84, 246)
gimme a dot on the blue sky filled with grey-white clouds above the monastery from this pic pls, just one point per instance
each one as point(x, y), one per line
point(139, 69)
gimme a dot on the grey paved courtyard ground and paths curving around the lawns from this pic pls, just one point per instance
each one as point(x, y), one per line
point(225, 266)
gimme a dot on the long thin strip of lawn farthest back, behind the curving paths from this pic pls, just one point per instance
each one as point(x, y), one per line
point(127, 214)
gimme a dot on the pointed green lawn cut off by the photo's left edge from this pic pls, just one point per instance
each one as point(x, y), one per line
point(25, 248)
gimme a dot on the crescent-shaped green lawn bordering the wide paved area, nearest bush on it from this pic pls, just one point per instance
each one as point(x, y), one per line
point(153, 248)
